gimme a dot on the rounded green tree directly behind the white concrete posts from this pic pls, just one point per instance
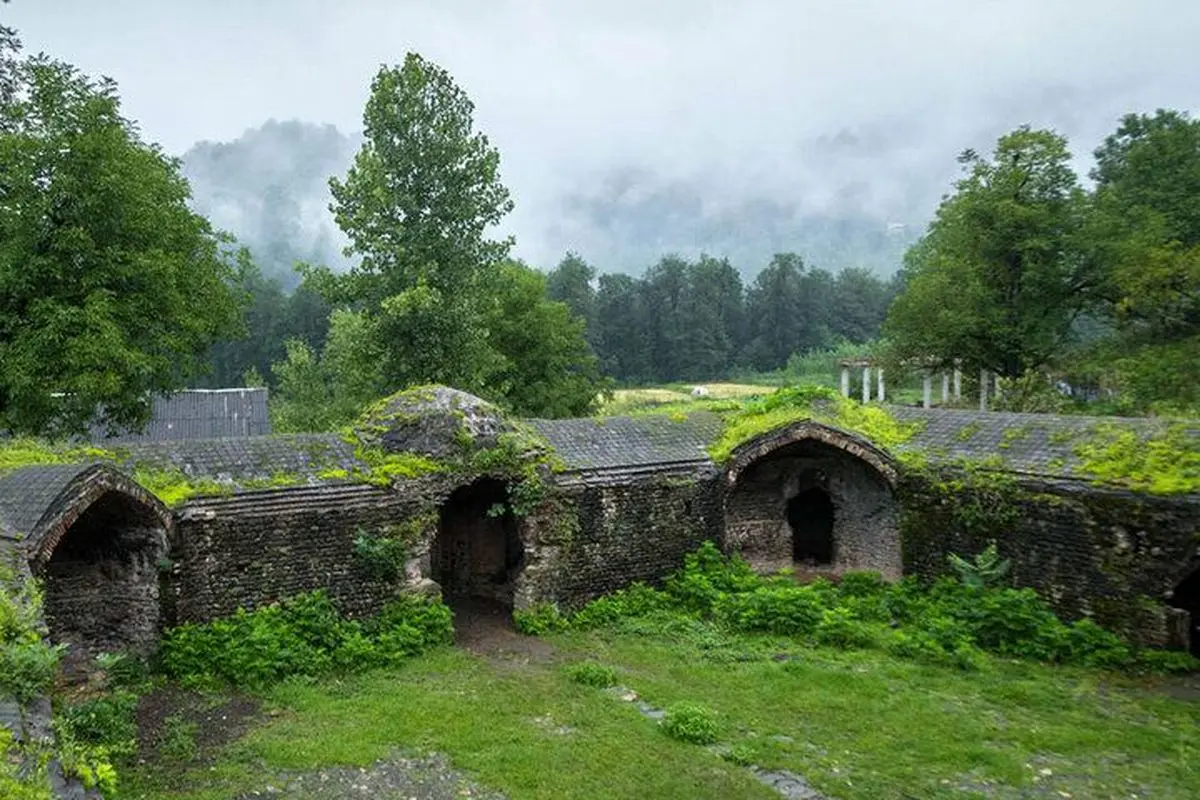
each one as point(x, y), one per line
point(999, 279)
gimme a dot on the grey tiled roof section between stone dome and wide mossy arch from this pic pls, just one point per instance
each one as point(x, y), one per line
point(625, 442)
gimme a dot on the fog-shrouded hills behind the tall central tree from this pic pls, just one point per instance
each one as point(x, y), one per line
point(269, 188)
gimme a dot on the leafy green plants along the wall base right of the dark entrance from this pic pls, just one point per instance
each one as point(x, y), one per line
point(952, 622)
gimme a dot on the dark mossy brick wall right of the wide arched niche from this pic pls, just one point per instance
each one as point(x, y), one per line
point(1090, 551)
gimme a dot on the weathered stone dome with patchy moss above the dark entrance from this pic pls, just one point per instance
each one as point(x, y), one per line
point(434, 422)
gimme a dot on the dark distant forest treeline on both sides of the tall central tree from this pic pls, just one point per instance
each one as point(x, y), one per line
point(681, 321)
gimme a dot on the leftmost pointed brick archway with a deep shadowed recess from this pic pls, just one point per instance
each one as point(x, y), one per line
point(99, 551)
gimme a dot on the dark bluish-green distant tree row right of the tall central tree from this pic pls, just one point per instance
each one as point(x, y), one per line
point(697, 321)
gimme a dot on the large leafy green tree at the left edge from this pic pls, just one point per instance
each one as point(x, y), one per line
point(111, 288)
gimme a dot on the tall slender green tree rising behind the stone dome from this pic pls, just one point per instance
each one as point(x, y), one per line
point(417, 207)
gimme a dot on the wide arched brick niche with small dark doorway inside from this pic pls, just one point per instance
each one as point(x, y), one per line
point(814, 498)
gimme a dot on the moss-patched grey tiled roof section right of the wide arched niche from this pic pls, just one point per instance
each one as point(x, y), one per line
point(1040, 444)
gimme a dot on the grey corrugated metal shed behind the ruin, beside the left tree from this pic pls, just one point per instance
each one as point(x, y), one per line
point(200, 414)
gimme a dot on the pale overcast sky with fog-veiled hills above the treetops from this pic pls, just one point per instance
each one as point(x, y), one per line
point(627, 131)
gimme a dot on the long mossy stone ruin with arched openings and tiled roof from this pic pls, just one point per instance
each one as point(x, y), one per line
point(623, 500)
